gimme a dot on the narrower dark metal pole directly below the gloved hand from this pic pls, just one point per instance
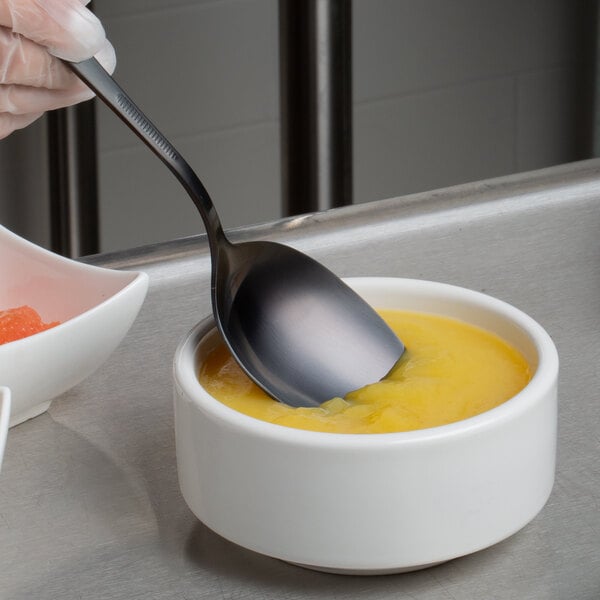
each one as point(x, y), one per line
point(73, 176)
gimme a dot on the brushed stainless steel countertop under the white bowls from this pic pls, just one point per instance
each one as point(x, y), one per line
point(90, 505)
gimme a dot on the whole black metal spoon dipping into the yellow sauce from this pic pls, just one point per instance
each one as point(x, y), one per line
point(296, 329)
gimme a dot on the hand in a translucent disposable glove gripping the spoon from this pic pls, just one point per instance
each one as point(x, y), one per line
point(32, 34)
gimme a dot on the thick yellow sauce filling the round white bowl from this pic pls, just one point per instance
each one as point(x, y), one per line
point(450, 371)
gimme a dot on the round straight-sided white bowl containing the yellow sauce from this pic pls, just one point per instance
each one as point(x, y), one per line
point(373, 503)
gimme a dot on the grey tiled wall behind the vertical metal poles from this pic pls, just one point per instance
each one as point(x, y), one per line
point(444, 92)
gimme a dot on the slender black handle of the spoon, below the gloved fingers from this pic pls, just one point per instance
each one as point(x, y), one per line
point(95, 76)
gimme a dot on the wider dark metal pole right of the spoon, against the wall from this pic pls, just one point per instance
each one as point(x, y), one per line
point(316, 104)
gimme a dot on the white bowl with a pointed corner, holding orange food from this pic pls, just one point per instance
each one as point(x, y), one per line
point(95, 306)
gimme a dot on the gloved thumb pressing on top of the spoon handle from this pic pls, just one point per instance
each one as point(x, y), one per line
point(68, 29)
